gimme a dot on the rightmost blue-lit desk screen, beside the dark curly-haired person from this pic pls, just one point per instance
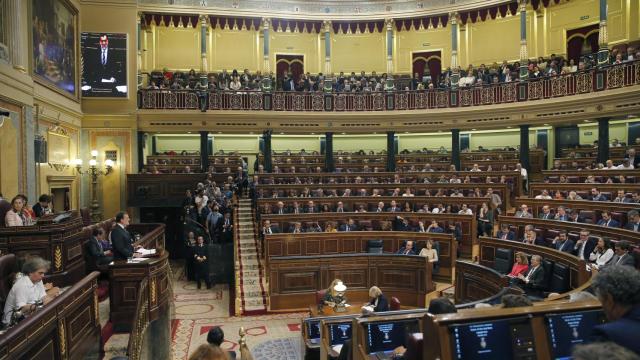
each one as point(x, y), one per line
point(569, 329)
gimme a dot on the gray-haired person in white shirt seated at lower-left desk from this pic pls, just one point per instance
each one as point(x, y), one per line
point(29, 291)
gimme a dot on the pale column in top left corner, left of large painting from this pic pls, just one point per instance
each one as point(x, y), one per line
point(16, 33)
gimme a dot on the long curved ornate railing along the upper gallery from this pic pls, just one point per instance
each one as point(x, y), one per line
point(593, 80)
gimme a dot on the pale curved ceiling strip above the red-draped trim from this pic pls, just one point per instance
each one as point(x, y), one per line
point(319, 9)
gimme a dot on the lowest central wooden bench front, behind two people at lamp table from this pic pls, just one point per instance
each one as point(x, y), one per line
point(294, 280)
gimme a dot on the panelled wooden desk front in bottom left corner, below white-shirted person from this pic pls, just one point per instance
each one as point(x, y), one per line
point(66, 328)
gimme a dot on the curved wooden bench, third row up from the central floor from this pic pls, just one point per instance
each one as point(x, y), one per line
point(466, 223)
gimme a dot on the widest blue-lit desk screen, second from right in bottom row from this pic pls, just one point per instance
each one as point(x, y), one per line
point(495, 339)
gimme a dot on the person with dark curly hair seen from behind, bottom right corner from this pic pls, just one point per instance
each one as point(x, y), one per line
point(618, 289)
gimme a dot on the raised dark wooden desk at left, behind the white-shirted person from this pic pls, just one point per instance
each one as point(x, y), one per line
point(61, 243)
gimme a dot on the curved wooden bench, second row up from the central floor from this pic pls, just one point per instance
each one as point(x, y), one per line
point(315, 244)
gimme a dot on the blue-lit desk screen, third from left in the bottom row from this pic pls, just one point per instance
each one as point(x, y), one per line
point(384, 336)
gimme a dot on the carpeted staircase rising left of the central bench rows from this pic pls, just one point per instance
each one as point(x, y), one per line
point(251, 289)
